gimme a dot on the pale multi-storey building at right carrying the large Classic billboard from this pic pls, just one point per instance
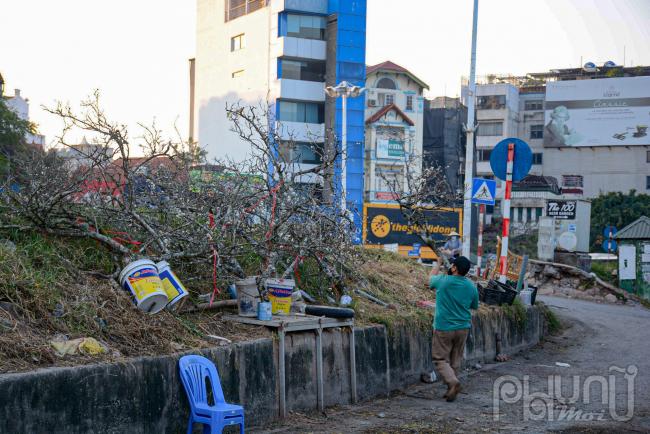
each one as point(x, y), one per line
point(519, 106)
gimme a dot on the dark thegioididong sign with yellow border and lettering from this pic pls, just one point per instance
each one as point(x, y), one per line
point(384, 224)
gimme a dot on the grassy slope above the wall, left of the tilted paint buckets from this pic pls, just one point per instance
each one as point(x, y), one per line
point(41, 298)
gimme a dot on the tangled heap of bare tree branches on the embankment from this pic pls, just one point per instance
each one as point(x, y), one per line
point(252, 217)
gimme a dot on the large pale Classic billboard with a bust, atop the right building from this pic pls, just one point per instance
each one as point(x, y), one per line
point(601, 112)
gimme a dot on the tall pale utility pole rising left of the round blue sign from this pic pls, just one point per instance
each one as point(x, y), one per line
point(469, 148)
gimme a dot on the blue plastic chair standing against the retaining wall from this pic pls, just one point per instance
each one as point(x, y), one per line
point(194, 372)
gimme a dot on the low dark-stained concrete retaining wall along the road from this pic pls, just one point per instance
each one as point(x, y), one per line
point(145, 395)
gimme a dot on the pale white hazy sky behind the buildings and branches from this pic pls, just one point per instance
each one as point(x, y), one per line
point(136, 51)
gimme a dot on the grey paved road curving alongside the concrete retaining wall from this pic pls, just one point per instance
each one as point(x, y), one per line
point(596, 337)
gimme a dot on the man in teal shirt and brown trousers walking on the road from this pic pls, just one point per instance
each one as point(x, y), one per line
point(455, 296)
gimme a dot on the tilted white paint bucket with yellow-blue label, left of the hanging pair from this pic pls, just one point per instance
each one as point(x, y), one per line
point(141, 279)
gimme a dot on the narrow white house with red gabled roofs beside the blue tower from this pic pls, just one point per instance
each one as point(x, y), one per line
point(394, 130)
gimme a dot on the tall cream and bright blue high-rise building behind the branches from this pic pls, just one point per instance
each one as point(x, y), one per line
point(280, 55)
